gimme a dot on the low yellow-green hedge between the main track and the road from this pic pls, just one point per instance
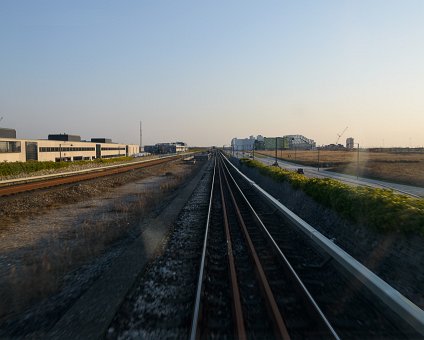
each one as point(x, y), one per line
point(381, 209)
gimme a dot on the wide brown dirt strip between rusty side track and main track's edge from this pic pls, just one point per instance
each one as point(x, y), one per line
point(50, 237)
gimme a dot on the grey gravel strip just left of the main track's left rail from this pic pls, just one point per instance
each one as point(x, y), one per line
point(162, 303)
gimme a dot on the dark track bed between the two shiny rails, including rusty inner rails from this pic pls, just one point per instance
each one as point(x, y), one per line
point(245, 276)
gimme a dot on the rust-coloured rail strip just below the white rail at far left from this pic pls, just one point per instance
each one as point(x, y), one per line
point(47, 183)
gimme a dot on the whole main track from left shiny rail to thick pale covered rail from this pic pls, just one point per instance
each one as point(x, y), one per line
point(260, 277)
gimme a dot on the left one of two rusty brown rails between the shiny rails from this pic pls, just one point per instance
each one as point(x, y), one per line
point(237, 307)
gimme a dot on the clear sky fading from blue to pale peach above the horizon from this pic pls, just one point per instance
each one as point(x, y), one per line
point(206, 71)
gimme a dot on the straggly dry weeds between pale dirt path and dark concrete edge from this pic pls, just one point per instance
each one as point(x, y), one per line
point(44, 264)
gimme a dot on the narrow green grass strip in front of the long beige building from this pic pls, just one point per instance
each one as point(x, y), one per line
point(16, 168)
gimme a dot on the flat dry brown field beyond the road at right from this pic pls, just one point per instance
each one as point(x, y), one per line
point(403, 167)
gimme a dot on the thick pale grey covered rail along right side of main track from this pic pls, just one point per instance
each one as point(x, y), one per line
point(392, 298)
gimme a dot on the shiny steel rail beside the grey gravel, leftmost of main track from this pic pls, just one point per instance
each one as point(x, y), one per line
point(196, 312)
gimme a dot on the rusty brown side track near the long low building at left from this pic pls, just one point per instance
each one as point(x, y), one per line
point(68, 178)
